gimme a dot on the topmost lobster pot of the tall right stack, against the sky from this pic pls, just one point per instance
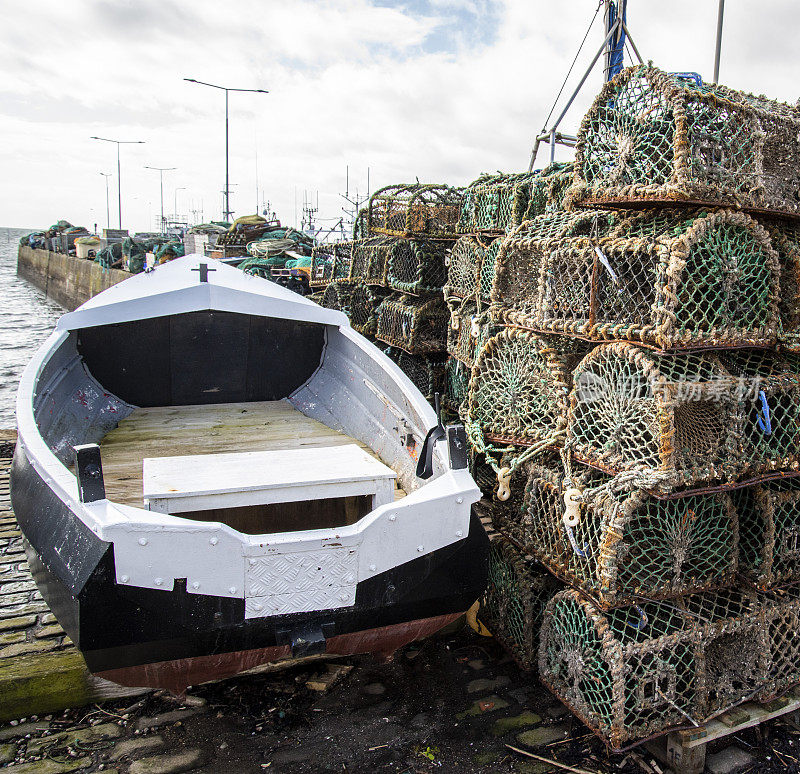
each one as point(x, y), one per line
point(652, 136)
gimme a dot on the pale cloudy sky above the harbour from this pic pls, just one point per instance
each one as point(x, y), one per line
point(435, 90)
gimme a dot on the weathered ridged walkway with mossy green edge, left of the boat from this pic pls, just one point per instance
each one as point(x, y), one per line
point(41, 671)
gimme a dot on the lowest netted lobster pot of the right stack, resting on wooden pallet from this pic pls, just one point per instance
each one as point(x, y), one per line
point(635, 671)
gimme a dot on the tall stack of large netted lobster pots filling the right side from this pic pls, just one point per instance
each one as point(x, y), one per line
point(655, 378)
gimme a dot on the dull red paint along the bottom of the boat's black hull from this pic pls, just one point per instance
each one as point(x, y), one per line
point(178, 674)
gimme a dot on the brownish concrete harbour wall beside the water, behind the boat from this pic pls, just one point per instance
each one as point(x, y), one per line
point(68, 281)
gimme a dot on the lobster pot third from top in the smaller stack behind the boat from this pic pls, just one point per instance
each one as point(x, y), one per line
point(417, 324)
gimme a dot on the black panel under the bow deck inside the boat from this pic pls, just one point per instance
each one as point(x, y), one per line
point(202, 357)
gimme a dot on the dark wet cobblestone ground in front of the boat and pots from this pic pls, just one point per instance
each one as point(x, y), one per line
point(451, 704)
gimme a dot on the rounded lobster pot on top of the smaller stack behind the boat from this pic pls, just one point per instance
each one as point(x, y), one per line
point(415, 209)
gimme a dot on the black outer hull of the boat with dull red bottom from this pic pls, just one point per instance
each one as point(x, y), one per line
point(172, 639)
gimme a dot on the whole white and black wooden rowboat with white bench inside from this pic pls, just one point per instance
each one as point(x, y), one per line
point(271, 484)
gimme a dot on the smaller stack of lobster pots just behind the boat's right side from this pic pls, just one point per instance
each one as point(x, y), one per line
point(388, 279)
